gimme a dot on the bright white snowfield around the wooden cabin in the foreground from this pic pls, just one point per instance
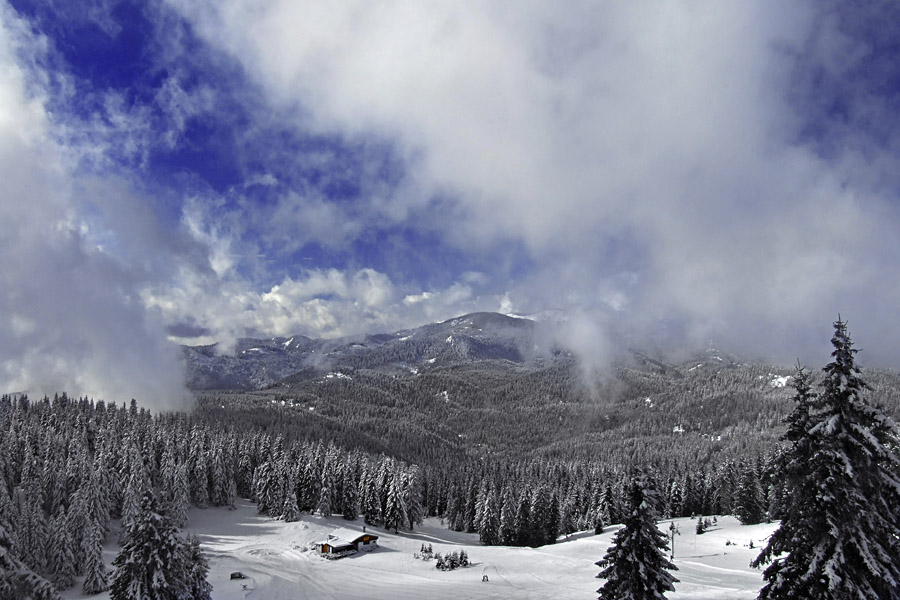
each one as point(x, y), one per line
point(280, 564)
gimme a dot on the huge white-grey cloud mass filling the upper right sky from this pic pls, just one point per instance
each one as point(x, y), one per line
point(663, 130)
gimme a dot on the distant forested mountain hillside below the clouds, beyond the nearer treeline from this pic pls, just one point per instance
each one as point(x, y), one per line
point(488, 384)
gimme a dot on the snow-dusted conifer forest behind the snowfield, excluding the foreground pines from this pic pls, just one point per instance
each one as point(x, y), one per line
point(389, 451)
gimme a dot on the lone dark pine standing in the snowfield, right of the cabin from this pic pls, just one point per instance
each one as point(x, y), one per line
point(635, 567)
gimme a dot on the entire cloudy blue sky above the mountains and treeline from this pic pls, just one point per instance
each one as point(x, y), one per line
point(672, 174)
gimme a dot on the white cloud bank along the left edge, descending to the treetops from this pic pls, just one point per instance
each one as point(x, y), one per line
point(72, 321)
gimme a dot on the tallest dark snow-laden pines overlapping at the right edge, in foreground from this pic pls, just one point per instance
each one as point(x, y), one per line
point(842, 479)
